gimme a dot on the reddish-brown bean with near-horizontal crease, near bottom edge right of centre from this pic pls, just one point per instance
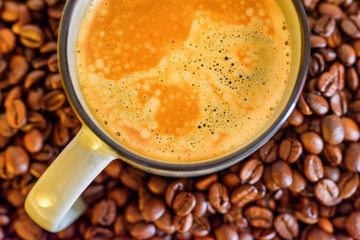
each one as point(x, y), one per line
point(259, 217)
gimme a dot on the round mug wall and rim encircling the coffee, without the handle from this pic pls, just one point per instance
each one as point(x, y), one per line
point(70, 26)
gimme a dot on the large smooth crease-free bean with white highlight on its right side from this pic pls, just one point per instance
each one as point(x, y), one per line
point(332, 129)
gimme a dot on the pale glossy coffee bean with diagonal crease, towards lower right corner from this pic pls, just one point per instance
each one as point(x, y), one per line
point(326, 191)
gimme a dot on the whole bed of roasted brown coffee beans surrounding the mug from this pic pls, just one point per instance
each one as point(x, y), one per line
point(302, 184)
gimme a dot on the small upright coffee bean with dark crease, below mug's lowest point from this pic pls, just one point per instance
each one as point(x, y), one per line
point(184, 203)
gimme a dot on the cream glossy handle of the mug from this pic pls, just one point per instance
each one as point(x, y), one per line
point(54, 202)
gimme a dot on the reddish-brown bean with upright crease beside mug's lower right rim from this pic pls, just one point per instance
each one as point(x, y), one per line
point(290, 149)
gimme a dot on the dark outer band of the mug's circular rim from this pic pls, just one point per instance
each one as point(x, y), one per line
point(175, 169)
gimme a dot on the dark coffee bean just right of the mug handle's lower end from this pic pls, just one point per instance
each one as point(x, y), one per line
point(104, 213)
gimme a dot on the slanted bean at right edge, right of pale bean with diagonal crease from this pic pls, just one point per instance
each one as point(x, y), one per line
point(348, 184)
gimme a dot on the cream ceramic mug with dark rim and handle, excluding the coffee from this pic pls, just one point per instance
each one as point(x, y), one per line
point(55, 200)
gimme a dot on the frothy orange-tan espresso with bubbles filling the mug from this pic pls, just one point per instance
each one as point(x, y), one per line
point(183, 80)
